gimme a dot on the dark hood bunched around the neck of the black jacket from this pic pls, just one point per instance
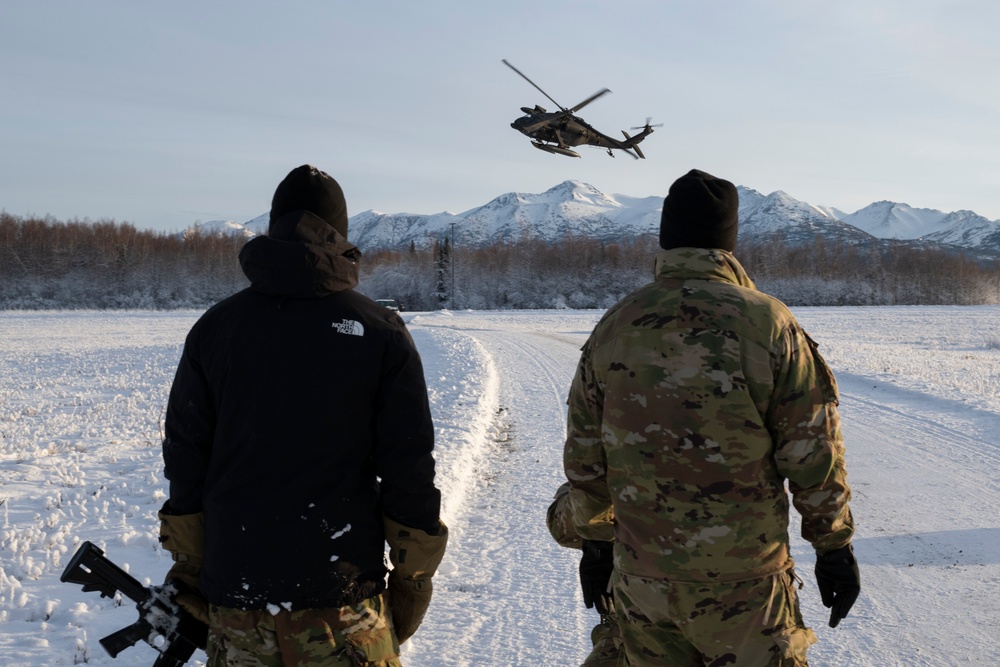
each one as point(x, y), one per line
point(301, 257)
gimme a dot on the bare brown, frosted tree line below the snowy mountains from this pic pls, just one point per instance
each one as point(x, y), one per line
point(51, 264)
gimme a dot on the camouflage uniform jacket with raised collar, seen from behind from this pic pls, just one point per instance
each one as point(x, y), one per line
point(695, 399)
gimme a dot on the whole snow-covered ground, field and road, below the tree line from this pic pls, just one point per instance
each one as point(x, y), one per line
point(82, 397)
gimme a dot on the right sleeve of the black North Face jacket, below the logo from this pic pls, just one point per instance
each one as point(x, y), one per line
point(404, 457)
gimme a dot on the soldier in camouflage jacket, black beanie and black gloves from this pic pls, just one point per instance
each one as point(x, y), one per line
point(696, 398)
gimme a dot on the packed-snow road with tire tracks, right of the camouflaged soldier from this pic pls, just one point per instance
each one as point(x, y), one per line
point(927, 562)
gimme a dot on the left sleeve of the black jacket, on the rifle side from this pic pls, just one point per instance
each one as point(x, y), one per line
point(189, 428)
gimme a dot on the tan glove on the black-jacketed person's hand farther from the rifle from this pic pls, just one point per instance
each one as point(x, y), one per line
point(415, 556)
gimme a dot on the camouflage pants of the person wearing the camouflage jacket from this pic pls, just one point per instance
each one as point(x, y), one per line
point(744, 624)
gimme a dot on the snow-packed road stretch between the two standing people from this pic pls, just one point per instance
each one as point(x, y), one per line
point(511, 591)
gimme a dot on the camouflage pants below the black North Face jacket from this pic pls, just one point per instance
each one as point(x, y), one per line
point(359, 635)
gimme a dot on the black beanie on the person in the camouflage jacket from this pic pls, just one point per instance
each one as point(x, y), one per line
point(700, 212)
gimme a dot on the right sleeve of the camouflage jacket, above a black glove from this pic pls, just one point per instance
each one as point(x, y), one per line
point(809, 447)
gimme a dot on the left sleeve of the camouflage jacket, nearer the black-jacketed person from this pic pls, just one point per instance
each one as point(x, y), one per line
point(584, 460)
